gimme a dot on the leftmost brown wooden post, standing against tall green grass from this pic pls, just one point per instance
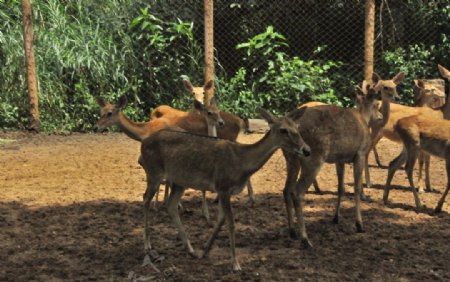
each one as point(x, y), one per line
point(33, 119)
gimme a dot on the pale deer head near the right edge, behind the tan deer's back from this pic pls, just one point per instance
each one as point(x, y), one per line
point(427, 94)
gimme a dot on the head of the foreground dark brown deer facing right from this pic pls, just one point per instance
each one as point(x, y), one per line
point(286, 133)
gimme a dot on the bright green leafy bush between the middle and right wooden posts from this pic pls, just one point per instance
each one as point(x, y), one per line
point(279, 82)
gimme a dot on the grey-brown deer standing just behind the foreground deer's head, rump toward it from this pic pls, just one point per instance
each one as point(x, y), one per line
point(335, 135)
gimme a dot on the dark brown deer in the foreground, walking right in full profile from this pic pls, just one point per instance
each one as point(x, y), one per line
point(216, 165)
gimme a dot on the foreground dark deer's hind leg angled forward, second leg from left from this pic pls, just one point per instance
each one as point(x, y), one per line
point(172, 208)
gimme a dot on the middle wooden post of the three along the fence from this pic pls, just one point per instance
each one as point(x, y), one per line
point(209, 47)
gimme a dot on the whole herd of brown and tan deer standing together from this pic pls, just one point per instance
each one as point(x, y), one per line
point(198, 149)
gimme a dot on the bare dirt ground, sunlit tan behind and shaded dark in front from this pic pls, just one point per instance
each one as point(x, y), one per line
point(71, 209)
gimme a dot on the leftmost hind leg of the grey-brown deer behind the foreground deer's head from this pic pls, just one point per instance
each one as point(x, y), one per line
point(293, 168)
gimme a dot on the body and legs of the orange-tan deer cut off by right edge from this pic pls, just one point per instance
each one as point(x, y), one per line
point(420, 133)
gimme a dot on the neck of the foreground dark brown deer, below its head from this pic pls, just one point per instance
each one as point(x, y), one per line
point(254, 156)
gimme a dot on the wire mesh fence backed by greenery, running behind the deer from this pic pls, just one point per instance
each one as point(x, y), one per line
point(142, 49)
